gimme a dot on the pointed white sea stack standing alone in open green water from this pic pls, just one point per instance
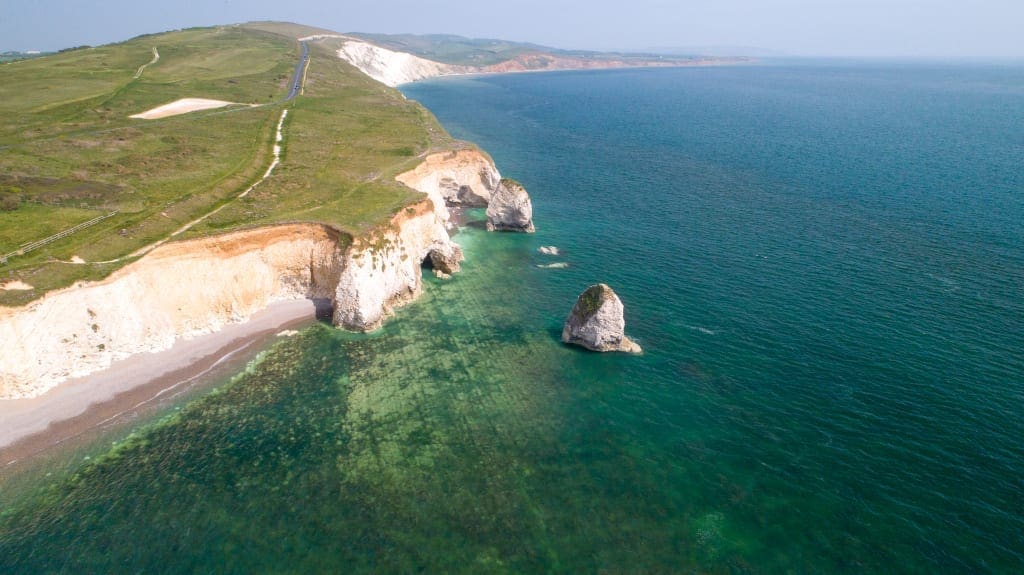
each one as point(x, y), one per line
point(596, 323)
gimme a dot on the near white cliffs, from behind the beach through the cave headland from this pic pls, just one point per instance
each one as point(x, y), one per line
point(187, 289)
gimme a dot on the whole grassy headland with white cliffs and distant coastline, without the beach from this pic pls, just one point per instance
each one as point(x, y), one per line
point(160, 189)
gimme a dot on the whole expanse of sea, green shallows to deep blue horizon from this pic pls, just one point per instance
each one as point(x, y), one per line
point(824, 262)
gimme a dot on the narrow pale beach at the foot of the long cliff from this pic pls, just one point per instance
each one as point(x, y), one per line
point(31, 426)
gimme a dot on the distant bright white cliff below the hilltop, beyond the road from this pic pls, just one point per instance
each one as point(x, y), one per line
point(393, 68)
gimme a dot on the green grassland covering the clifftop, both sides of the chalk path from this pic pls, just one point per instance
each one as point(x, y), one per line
point(69, 151)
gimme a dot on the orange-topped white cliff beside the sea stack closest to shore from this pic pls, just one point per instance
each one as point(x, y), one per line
point(466, 178)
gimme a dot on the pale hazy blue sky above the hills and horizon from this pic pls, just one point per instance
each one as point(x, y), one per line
point(904, 29)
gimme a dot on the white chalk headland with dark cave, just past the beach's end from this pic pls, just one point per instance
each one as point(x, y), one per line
point(385, 271)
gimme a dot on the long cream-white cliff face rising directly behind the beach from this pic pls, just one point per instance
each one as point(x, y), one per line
point(179, 291)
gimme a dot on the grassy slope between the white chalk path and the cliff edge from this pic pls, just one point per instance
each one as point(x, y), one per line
point(348, 138)
